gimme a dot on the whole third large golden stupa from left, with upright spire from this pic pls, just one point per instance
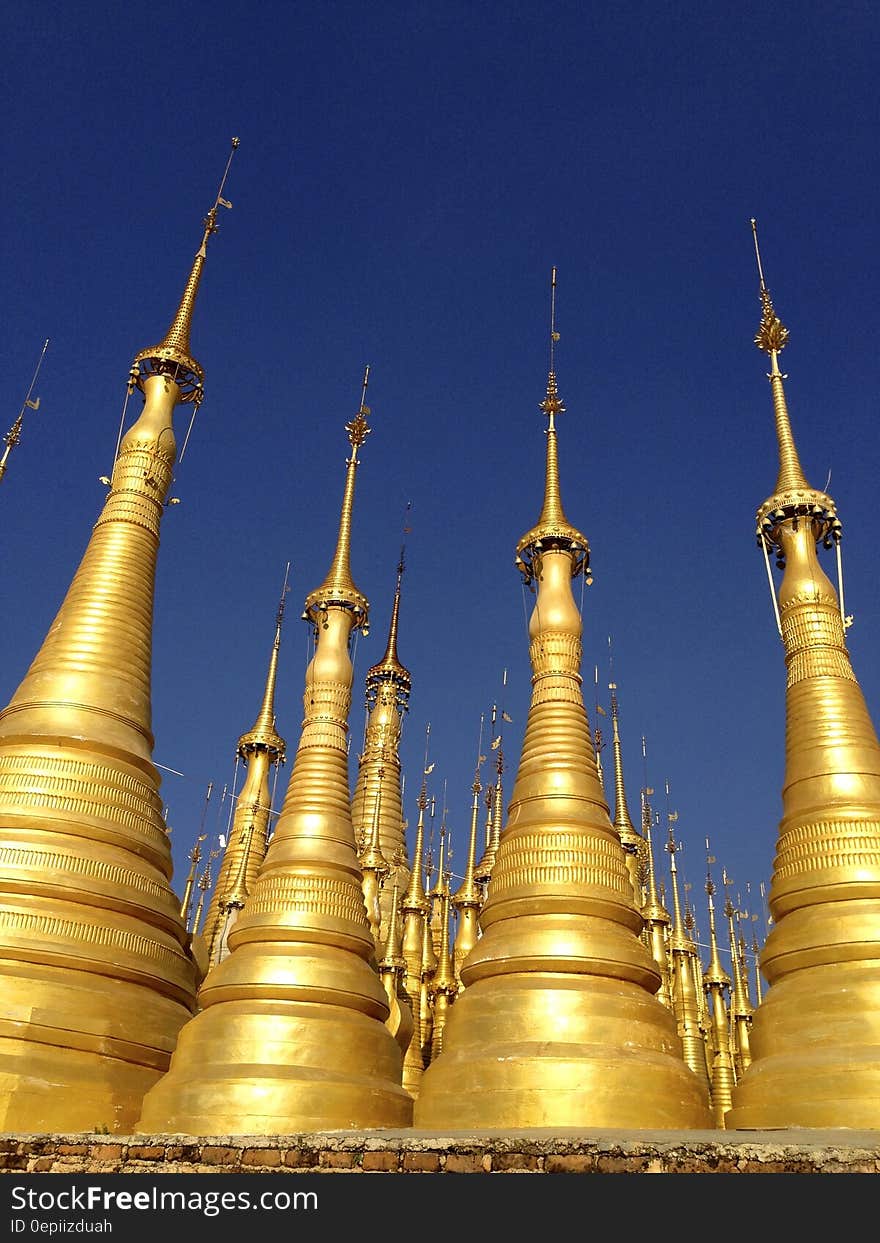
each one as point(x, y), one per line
point(557, 1025)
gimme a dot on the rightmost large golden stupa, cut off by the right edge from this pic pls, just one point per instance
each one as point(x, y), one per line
point(816, 1036)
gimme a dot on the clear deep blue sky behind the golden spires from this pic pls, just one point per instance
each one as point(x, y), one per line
point(408, 176)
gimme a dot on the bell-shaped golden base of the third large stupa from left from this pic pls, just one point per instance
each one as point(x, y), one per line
point(560, 1048)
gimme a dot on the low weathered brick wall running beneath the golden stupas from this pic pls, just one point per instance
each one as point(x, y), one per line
point(534, 1152)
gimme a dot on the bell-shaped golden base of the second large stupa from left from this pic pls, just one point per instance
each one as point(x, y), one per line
point(257, 1063)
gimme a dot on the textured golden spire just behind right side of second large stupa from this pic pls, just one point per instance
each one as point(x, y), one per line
point(377, 802)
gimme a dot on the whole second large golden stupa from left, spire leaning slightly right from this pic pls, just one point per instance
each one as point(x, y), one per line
point(291, 1034)
